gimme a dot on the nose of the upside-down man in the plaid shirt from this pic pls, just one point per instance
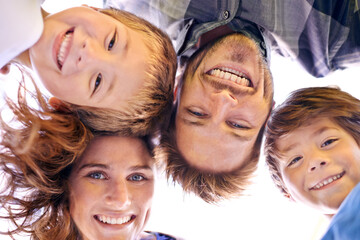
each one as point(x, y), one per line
point(223, 101)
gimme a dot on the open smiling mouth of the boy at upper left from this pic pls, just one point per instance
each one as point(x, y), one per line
point(62, 47)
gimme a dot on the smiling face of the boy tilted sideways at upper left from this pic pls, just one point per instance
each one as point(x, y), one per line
point(87, 58)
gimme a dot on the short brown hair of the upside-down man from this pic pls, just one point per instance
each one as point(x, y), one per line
point(211, 187)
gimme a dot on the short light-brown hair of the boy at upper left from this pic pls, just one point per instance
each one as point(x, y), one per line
point(149, 108)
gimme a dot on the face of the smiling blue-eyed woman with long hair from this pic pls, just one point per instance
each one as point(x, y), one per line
point(111, 188)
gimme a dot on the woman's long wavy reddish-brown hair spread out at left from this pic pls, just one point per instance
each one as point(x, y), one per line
point(38, 149)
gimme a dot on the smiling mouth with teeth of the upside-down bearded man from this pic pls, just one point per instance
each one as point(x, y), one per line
point(232, 75)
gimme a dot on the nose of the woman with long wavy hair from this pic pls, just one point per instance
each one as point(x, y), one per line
point(117, 195)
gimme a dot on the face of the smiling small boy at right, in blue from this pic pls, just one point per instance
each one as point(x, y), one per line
point(320, 164)
